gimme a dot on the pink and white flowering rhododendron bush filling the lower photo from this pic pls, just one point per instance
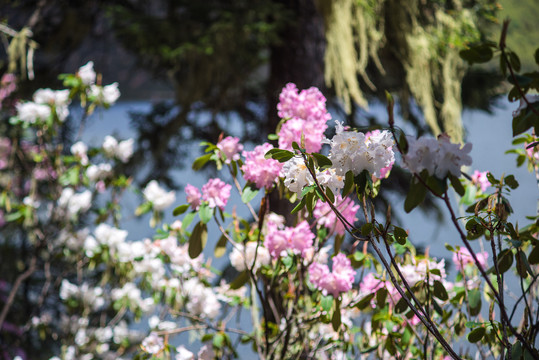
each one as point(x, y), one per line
point(332, 279)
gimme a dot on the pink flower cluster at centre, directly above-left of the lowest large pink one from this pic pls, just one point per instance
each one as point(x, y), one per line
point(299, 239)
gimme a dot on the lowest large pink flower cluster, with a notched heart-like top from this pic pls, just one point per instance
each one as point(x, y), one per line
point(339, 280)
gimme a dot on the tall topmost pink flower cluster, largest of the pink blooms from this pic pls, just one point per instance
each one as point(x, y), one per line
point(306, 113)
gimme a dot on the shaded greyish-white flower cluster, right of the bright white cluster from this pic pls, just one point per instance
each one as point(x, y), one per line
point(439, 156)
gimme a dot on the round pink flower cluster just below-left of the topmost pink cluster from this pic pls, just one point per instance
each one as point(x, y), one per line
point(258, 169)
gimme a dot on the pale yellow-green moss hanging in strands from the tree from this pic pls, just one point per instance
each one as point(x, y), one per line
point(425, 38)
